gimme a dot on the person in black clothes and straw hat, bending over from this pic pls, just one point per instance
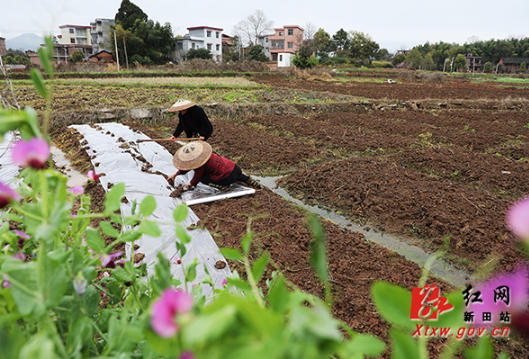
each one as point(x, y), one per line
point(192, 120)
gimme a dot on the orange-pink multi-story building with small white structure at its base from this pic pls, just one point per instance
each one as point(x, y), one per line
point(284, 44)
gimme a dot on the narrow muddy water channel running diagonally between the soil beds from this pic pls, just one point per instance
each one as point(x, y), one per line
point(439, 268)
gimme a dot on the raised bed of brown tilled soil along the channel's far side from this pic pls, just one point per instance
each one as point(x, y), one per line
point(403, 201)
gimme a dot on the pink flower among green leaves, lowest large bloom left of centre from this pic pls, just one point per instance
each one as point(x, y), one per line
point(165, 309)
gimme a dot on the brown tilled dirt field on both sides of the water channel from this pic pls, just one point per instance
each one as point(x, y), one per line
point(424, 175)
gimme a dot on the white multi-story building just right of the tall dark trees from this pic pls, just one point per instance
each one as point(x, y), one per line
point(200, 37)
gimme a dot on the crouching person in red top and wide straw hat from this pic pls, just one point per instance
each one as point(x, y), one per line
point(210, 168)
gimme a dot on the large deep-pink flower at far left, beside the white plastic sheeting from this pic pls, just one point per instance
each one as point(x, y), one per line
point(33, 153)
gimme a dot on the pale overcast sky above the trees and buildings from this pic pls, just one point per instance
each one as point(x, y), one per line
point(394, 24)
